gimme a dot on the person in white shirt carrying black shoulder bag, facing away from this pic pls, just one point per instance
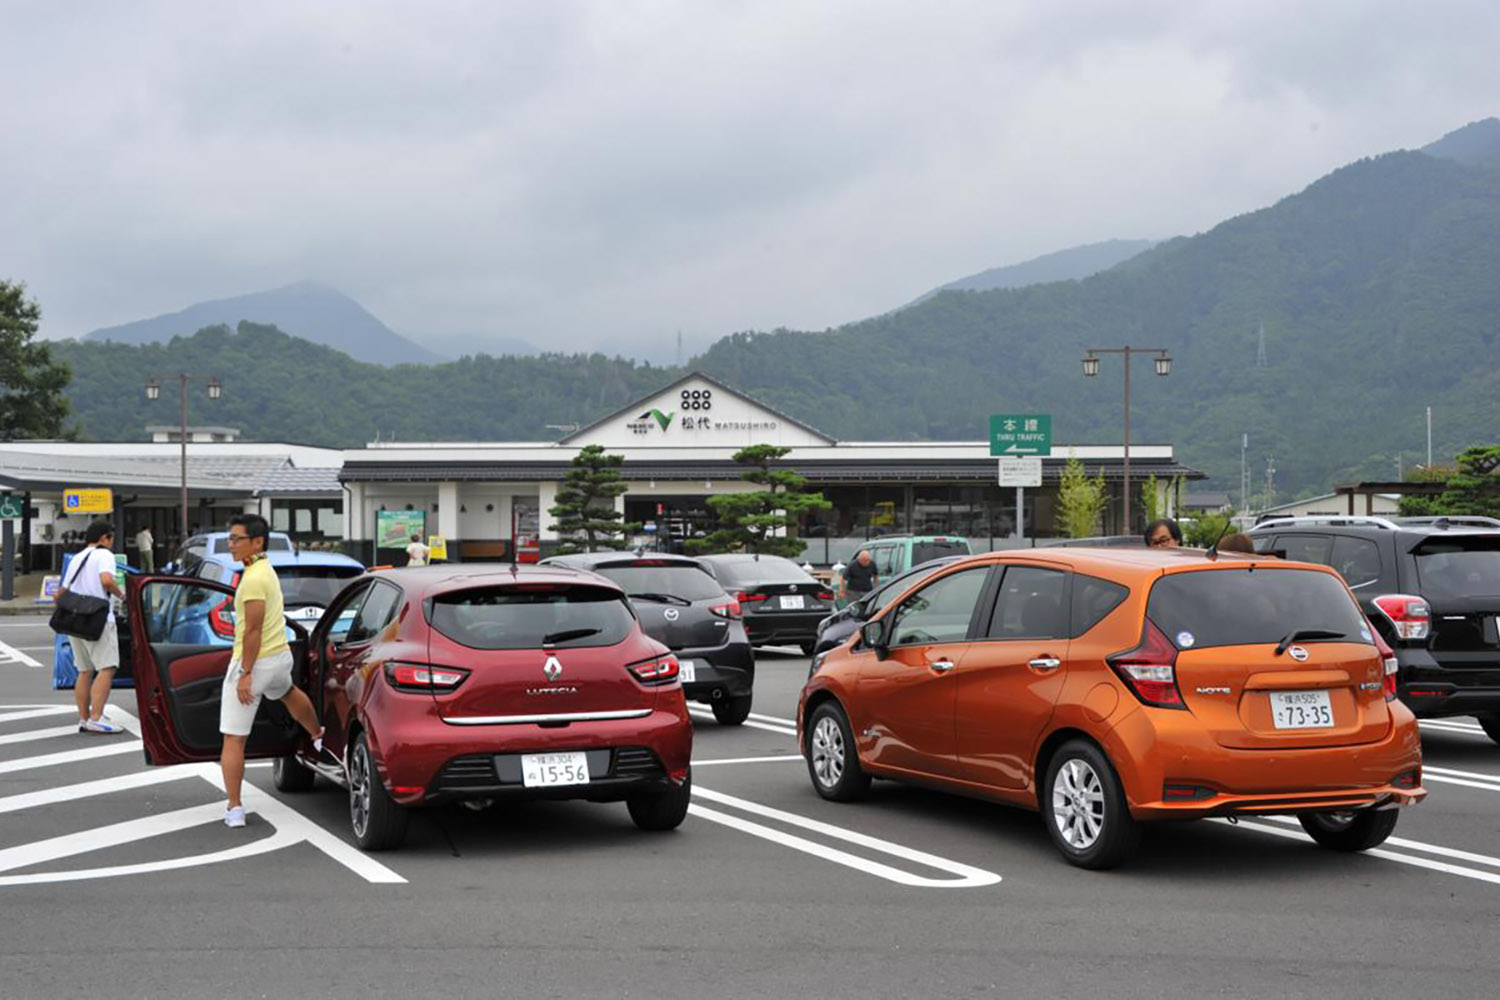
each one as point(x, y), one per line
point(97, 659)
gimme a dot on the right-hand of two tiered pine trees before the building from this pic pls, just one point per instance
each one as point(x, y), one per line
point(761, 521)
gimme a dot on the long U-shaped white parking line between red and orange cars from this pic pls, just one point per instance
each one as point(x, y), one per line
point(965, 876)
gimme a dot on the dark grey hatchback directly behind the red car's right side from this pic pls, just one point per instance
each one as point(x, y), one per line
point(685, 608)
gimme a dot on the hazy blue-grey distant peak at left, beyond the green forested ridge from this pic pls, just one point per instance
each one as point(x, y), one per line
point(307, 310)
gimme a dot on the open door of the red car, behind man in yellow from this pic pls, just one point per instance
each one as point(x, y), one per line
point(182, 639)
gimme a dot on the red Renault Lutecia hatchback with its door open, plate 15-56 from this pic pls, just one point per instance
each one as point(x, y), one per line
point(434, 686)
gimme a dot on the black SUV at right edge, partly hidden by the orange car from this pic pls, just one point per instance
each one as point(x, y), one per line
point(1430, 585)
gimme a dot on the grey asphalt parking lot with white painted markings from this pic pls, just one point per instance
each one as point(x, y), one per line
point(119, 881)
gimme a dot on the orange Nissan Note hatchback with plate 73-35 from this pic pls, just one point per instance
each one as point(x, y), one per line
point(1106, 687)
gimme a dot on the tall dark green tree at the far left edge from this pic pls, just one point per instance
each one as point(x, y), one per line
point(32, 403)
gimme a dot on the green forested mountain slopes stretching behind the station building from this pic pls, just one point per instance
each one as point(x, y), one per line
point(1378, 287)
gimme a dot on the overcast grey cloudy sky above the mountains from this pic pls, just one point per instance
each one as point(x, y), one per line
point(604, 175)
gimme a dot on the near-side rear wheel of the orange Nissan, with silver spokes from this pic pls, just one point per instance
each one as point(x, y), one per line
point(1085, 810)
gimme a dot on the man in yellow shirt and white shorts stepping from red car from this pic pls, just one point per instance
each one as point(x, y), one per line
point(262, 662)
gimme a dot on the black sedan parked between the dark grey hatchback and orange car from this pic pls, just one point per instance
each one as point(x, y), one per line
point(782, 603)
